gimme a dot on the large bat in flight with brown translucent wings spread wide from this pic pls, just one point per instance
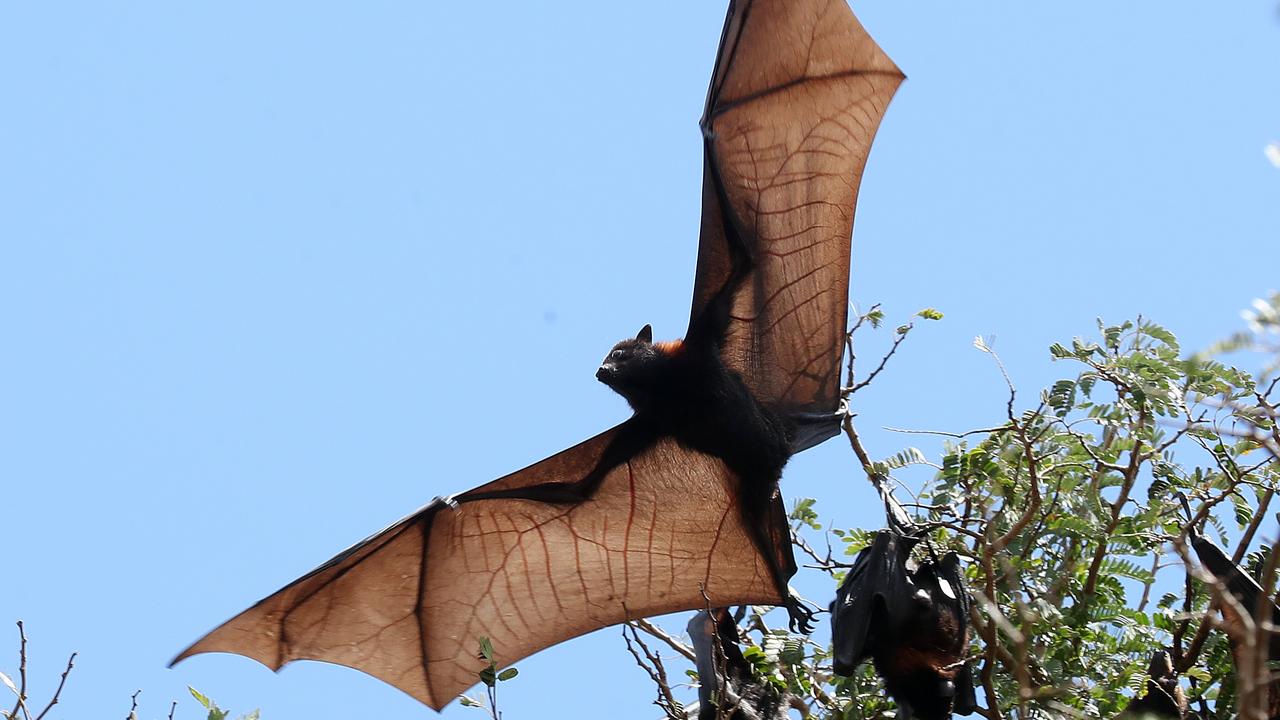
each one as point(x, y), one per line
point(682, 499)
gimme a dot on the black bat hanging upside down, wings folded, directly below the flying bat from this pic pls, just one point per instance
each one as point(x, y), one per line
point(911, 619)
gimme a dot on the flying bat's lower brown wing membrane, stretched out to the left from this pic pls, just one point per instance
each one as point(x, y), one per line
point(410, 604)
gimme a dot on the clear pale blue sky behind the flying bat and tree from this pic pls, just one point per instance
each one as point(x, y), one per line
point(276, 275)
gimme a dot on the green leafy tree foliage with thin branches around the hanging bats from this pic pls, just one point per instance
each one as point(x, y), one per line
point(1068, 513)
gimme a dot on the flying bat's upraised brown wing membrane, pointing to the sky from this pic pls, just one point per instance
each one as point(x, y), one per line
point(798, 93)
